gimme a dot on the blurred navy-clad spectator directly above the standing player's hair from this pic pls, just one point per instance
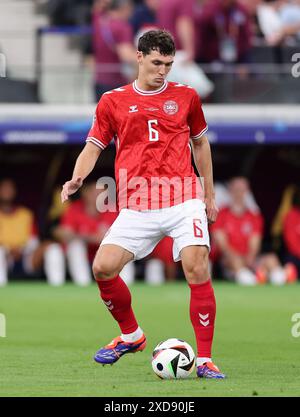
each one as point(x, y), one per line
point(144, 16)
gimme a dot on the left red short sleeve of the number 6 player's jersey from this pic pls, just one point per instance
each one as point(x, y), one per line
point(102, 130)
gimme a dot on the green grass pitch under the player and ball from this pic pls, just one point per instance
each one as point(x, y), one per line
point(52, 334)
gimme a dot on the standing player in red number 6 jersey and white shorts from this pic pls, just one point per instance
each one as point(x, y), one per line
point(154, 124)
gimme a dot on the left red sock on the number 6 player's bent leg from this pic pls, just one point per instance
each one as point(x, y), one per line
point(117, 298)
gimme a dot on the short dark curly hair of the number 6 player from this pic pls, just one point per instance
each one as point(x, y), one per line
point(157, 40)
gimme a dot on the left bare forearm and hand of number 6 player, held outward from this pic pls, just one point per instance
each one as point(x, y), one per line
point(84, 165)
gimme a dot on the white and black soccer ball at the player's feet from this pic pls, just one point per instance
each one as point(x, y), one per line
point(173, 359)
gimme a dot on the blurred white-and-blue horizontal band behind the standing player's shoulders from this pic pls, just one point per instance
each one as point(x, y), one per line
point(228, 124)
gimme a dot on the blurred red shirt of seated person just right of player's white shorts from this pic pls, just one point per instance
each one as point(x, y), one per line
point(239, 228)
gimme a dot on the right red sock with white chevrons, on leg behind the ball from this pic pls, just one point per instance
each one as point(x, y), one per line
point(202, 314)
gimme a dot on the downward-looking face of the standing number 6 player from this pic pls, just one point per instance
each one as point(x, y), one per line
point(154, 68)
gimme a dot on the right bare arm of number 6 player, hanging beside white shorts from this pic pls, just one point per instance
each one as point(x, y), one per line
point(203, 162)
